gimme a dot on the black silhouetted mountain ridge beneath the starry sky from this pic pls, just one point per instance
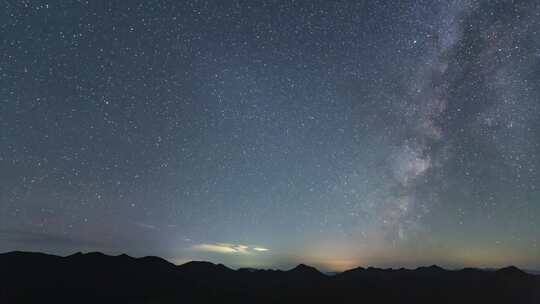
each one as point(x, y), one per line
point(98, 278)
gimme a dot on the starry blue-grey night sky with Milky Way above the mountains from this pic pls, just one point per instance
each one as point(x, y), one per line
point(268, 133)
